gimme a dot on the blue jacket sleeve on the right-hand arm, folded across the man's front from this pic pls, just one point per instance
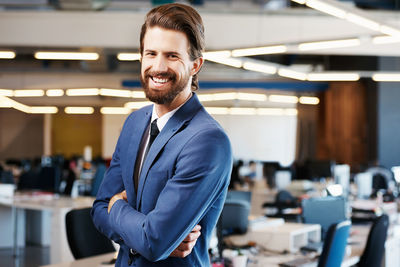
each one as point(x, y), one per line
point(202, 174)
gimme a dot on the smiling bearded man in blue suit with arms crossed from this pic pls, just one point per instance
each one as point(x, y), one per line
point(161, 188)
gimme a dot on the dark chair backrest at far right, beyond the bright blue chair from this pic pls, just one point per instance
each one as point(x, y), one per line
point(375, 247)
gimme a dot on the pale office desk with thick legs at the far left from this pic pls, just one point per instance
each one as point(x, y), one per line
point(57, 206)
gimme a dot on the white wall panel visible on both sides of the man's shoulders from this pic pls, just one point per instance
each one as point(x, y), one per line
point(264, 138)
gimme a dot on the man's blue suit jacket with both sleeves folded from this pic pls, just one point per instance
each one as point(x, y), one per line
point(183, 182)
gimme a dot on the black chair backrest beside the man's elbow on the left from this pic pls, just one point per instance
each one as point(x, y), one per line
point(83, 238)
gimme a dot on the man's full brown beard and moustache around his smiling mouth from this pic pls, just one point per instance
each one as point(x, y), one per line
point(165, 96)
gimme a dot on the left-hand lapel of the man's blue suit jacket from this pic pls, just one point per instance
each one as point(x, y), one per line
point(134, 144)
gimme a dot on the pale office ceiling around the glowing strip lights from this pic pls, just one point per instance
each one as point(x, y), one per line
point(29, 26)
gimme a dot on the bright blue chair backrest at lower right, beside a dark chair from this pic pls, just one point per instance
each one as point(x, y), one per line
point(335, 245)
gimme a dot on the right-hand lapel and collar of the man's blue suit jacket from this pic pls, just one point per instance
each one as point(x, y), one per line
point(176, 122)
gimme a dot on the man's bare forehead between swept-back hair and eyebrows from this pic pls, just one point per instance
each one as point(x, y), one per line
point(165, 40)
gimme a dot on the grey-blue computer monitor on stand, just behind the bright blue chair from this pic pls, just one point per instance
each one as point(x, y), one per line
point(324, 211)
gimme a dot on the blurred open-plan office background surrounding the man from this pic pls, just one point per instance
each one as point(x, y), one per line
point(307, 96)
